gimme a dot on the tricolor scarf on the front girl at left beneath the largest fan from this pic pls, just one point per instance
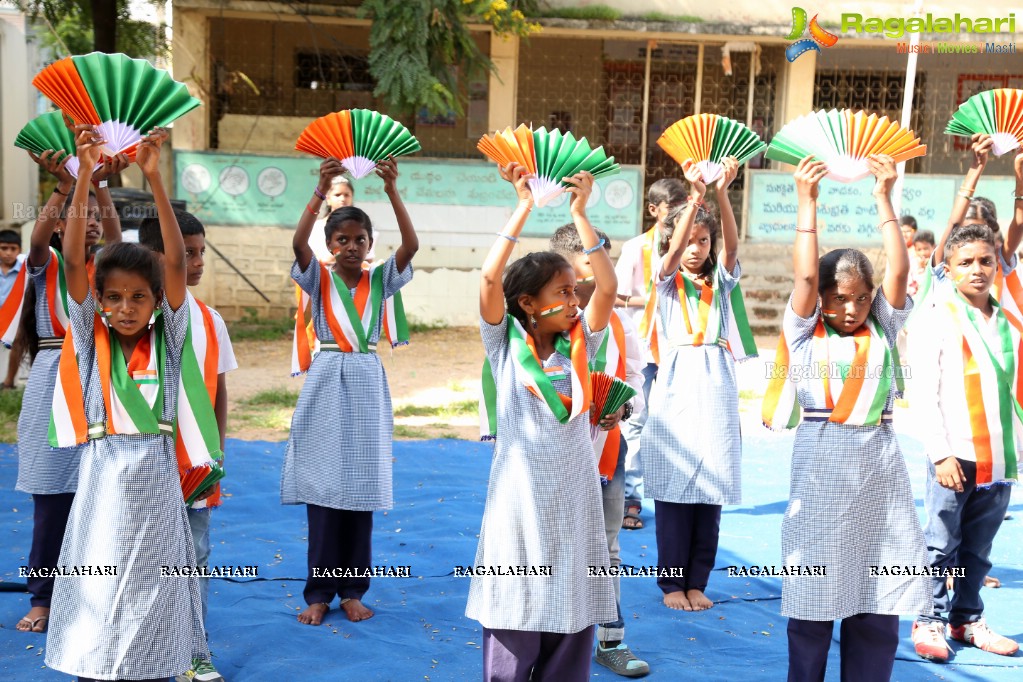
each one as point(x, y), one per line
point(134, 390)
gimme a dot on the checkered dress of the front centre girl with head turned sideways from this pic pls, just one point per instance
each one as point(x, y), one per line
point(544, 509)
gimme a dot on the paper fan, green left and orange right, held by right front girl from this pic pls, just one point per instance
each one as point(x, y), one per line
point(843, 140)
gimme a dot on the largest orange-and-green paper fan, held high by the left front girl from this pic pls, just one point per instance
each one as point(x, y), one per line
point(124, 98)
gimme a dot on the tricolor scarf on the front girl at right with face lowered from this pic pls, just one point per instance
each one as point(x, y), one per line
point(856, 395)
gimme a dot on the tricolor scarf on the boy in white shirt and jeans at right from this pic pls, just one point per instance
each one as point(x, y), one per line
point(994, 390)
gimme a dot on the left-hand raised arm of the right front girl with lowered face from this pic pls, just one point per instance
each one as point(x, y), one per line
point(809, 175)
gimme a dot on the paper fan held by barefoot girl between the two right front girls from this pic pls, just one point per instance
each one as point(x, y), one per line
point(707, 139)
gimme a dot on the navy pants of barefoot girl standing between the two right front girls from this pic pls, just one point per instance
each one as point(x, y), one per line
point(687, 538)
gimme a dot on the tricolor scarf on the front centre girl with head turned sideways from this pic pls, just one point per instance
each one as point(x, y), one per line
point(530, 372)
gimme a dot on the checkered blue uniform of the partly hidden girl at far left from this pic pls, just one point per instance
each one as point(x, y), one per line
point(41, 470)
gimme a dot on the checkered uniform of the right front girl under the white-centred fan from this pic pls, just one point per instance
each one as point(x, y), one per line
point(851, 504)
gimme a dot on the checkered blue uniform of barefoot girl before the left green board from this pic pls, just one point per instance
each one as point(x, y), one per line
point(339, 451)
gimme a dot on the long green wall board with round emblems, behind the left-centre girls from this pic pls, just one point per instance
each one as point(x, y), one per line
point(249, 190)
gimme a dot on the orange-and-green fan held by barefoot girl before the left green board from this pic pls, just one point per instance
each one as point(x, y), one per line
point(359, 139)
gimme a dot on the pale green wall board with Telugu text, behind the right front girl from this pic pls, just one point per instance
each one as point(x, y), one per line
point(848, 214)
